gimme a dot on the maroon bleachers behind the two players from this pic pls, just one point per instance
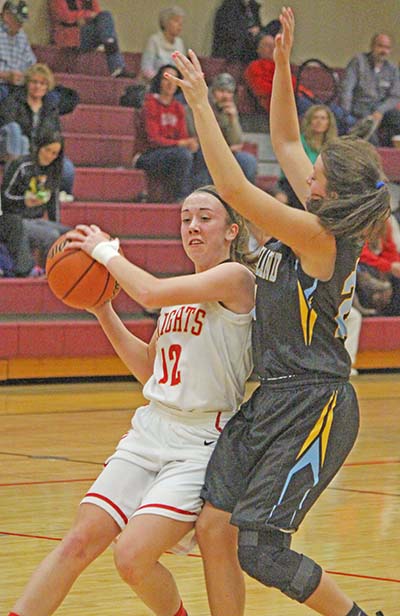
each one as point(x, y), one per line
point(42, 338)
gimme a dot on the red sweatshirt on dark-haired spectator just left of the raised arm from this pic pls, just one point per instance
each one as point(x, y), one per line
point(164, 125)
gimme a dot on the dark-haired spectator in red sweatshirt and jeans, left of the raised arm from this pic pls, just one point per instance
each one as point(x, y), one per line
point(169, 150)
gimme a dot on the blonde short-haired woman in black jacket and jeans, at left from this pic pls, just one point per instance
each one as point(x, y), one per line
point(28, 110)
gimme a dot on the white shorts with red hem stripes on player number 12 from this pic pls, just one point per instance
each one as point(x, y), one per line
point(158, 468)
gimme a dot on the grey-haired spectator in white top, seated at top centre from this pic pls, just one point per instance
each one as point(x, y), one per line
point(161, 45)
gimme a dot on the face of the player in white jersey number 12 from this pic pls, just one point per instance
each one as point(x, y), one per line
point(205, 230)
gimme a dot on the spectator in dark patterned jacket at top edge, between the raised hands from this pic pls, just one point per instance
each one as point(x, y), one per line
point(237, 25)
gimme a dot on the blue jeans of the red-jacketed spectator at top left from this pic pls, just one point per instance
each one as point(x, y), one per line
point(101, 31)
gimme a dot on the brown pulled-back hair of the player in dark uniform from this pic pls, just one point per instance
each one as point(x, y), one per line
point(358, 199)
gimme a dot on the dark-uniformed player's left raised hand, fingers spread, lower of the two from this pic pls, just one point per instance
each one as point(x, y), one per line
point(192, 83)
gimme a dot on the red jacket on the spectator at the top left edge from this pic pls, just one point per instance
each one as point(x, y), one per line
point(64, 15)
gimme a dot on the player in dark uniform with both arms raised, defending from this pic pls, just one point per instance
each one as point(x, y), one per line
point(284, 446)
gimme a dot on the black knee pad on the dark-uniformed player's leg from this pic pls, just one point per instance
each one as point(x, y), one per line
point(266, 556)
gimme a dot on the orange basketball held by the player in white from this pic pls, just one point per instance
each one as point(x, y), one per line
point(76, 279)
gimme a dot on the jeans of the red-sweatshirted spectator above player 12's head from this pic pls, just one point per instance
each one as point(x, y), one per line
point(174, 164)
